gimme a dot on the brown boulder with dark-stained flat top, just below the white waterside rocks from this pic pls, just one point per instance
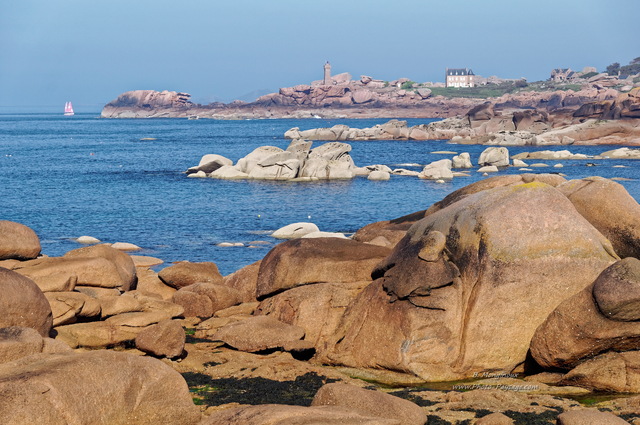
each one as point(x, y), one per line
point(302, 261)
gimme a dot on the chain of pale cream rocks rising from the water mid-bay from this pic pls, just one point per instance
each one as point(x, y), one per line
point(332, 161)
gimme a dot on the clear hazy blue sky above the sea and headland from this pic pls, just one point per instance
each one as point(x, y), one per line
point(90, 51)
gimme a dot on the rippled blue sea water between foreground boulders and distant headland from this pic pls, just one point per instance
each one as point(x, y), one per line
point(71, 176)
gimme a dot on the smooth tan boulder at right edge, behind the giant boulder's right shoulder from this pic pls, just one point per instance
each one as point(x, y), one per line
point(610, 209)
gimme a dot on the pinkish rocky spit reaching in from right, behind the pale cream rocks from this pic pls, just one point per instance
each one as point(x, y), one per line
point(614, 122)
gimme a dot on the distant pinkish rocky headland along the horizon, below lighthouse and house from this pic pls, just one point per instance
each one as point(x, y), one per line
point(344, 97)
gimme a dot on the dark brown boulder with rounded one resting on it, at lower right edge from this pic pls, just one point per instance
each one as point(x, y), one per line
point(579, 329)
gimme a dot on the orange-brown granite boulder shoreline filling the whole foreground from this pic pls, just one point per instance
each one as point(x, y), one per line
point(520, 292)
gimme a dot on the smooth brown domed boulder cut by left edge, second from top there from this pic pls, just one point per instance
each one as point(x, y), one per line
point(23, 304)
